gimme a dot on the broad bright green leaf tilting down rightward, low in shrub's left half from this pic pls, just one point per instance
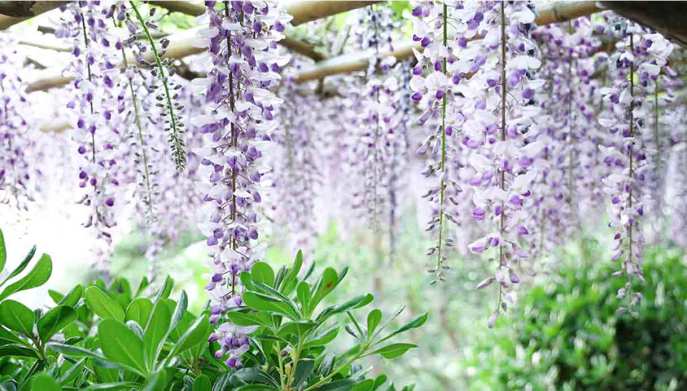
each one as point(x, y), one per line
point(122, 345)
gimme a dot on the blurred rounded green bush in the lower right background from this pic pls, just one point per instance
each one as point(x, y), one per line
point(567, 334)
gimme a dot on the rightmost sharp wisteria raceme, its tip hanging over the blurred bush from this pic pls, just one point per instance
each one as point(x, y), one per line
point(635, 67)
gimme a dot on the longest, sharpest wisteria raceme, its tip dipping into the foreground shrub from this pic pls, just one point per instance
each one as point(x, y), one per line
point(242, 43)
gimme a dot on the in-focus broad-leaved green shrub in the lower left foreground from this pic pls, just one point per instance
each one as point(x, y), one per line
point(110, 336)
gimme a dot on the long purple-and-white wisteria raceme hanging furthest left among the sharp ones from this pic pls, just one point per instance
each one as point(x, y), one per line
point(97, 116)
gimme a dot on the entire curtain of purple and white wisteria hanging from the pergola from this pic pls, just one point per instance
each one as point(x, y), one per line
point(521, 136)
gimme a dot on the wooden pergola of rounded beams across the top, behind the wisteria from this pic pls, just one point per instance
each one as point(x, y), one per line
point(665, 17)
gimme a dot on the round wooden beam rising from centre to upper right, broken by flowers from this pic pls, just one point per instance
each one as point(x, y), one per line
point(558, 11)
